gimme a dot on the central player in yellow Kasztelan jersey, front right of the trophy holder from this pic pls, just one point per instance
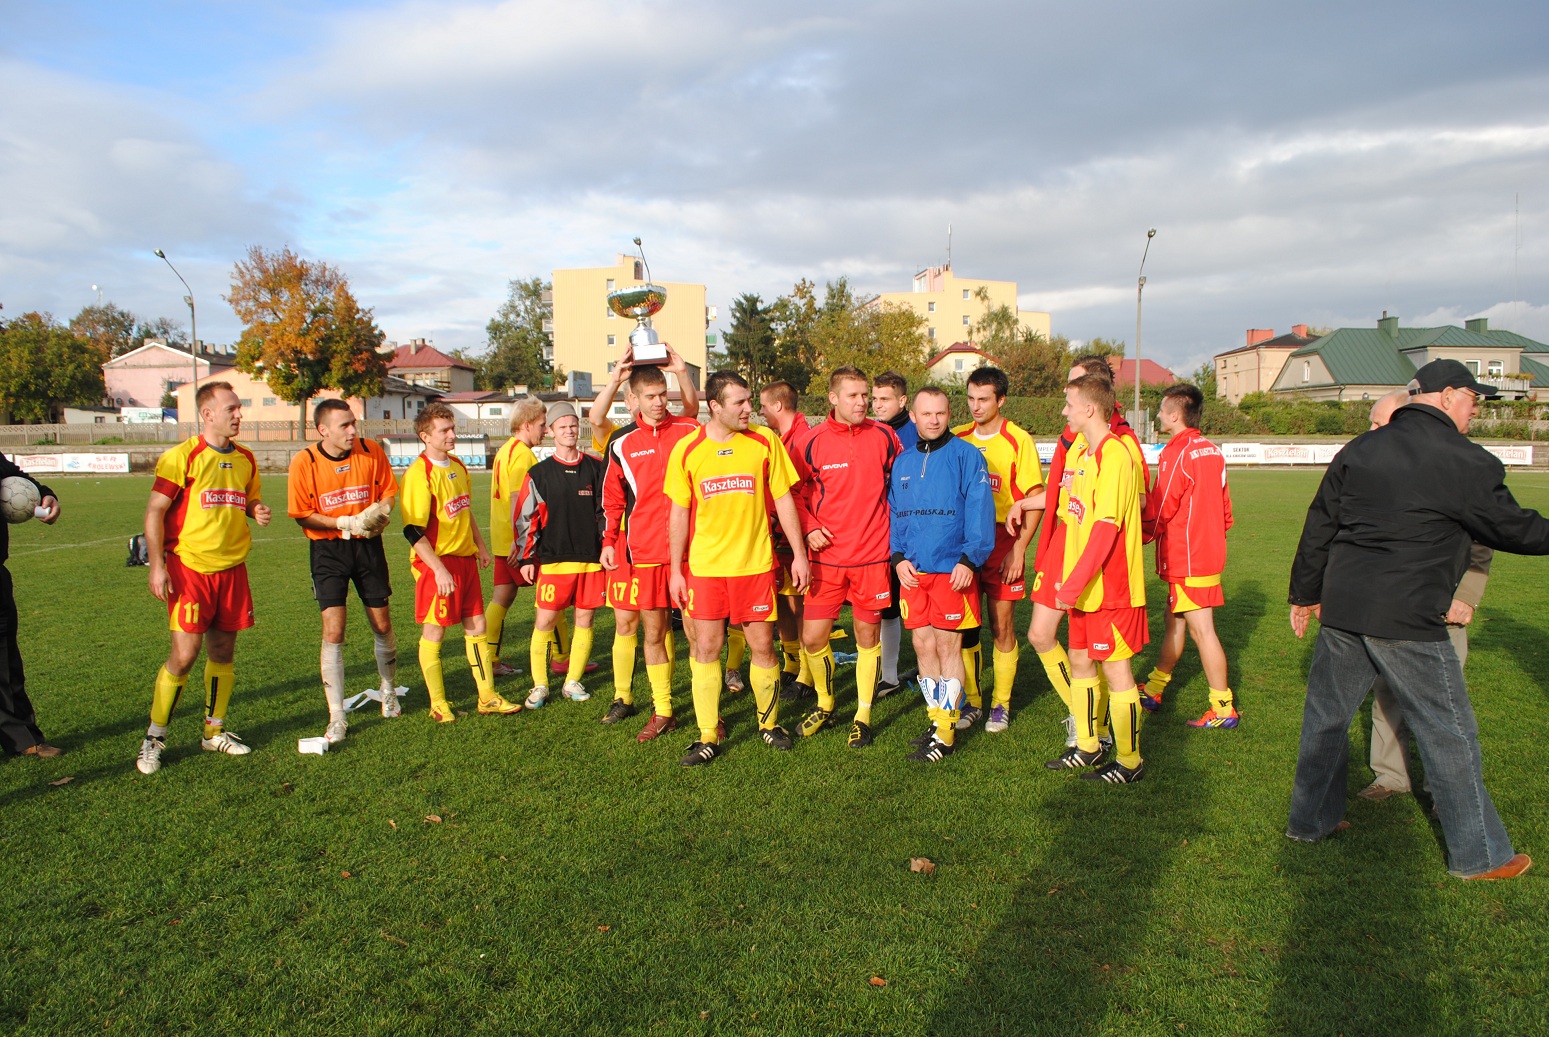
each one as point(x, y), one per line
point(720, 481)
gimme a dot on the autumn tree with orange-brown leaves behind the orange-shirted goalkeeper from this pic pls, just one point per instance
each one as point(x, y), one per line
point(303, 329)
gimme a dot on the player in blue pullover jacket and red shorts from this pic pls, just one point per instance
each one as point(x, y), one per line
point(943, 532)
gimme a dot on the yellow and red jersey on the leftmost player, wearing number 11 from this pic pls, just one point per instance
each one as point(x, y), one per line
point(207, 526)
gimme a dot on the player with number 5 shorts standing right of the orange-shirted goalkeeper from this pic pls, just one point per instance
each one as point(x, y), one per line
point(447, 554)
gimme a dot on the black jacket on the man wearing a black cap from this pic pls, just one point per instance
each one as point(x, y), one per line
point(1387, 539)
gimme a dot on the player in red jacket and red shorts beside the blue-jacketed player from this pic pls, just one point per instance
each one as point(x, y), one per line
point(845, 464)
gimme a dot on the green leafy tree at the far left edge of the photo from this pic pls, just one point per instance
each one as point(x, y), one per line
point(44, 367)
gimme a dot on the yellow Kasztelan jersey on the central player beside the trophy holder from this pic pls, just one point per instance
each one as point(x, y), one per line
point(727, 489)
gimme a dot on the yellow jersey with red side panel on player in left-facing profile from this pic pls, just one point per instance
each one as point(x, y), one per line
point(1104, 486)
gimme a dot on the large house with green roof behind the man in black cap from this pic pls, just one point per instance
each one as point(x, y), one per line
point(1364, 363)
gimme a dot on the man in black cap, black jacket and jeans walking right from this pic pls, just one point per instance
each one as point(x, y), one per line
point(1384, 546)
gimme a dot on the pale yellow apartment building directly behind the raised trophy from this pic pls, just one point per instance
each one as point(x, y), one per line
point(589, 337)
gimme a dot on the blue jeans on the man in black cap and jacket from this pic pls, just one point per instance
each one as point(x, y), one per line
point(1427, 680)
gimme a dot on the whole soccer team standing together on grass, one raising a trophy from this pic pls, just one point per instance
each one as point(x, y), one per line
point(754, 537)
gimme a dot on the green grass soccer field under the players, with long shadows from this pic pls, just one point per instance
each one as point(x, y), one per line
point(582, 884)
